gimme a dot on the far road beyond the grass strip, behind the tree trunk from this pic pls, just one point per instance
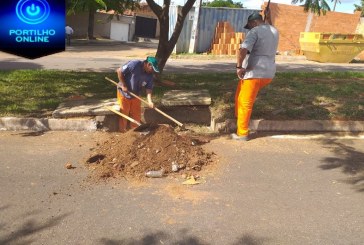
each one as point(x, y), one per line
point(107, 57)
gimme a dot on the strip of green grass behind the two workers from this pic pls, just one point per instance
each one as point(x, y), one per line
point(314, 95)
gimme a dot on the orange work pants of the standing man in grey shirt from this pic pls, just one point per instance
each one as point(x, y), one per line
point(246, 93)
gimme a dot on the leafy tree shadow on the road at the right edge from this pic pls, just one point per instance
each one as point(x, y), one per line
point(348, 159)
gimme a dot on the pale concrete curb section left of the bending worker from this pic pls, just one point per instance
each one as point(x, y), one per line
point(46, 124)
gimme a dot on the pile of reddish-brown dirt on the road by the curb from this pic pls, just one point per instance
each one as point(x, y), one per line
point(133, 154)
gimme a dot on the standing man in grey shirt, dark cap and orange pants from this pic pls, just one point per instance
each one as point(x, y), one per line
point(258, 70)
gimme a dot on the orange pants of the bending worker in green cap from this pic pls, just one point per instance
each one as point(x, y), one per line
point(131, 108)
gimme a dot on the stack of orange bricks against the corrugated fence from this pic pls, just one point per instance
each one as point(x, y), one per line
point(226, 41)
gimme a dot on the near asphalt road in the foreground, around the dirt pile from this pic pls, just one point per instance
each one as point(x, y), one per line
point(265, 191)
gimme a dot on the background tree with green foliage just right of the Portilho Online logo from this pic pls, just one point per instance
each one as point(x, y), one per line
point(90, 6)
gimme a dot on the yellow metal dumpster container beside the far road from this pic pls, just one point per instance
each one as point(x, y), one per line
point(331, 47)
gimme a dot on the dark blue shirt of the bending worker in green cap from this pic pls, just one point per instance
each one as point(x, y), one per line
point(135, 78)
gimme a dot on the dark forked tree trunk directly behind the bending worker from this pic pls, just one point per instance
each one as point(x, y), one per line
point(166, 44)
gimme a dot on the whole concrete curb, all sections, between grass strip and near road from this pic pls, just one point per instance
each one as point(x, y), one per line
point(90, 124)
